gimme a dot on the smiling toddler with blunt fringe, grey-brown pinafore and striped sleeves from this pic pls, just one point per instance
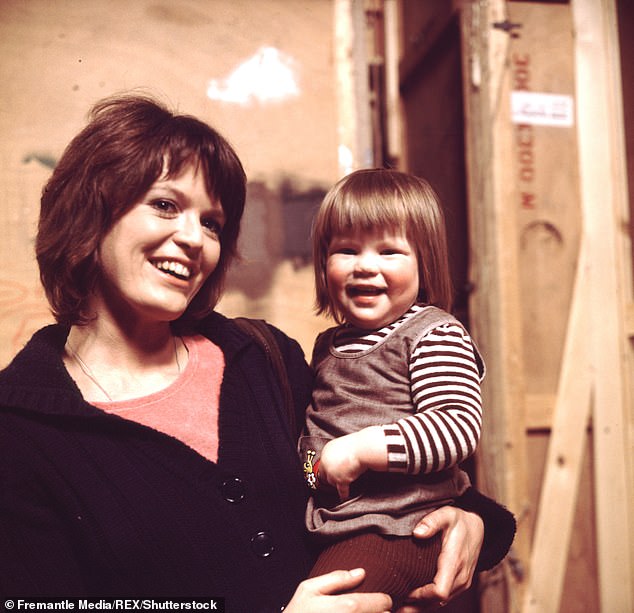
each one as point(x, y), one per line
point(396, 404)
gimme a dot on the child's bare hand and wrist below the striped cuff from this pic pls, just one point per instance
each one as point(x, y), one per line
point(344, 459)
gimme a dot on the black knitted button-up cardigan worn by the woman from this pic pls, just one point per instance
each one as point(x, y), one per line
point(94, 505)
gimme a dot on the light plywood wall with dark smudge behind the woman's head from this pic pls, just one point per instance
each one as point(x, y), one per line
point(58, 58)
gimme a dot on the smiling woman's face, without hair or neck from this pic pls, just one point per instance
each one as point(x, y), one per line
point(157, 256)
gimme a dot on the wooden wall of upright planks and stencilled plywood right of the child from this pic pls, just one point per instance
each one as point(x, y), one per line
point(560, 267)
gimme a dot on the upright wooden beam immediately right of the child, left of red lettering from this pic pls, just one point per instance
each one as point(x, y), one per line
point(494, 303)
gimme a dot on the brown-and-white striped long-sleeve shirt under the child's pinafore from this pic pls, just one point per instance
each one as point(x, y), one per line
point(445, 387)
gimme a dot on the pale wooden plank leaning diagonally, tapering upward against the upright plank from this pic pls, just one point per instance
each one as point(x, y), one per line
point(563, 465)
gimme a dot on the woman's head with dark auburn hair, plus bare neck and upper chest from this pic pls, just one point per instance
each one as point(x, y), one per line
point(160, 203)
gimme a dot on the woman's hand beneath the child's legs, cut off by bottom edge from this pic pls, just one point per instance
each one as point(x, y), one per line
point(321, 595)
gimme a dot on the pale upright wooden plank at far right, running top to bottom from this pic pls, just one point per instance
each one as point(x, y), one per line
point(603, 189)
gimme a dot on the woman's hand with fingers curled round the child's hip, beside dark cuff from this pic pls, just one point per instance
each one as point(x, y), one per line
point(463, 533)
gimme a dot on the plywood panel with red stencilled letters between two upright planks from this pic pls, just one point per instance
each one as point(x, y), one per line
point(542, 62)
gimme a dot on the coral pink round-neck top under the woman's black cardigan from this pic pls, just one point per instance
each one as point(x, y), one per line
point(188, 408)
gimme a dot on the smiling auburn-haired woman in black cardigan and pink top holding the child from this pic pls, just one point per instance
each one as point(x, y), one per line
point(143, 448)
